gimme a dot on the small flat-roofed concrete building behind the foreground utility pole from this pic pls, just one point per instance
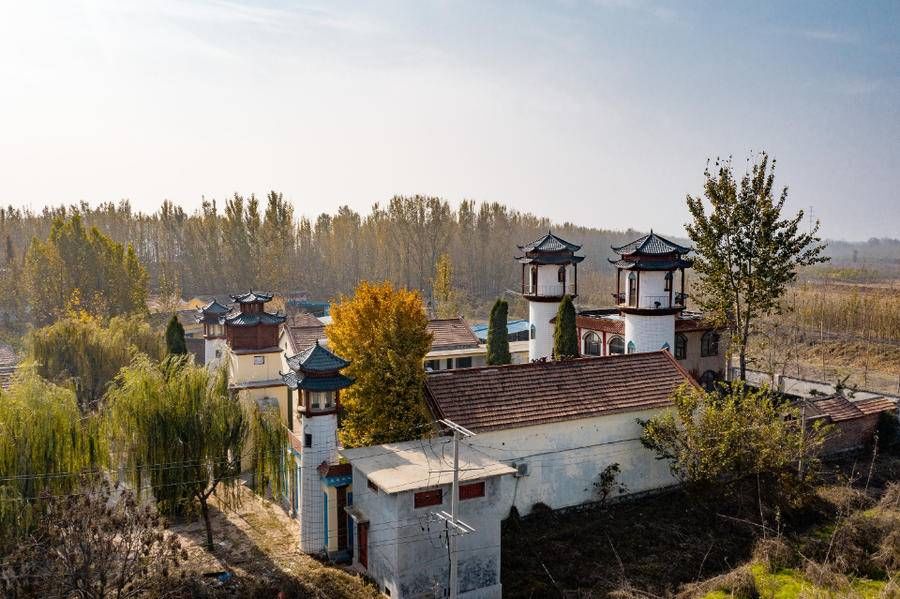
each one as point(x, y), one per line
point(399, 541)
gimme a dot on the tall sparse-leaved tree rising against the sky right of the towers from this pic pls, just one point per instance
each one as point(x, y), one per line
point(746, 252)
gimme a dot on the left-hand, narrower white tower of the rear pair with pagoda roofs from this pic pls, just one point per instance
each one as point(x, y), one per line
point(549, 272)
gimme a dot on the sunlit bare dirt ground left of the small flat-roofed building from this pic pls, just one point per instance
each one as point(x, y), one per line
point(257, 544)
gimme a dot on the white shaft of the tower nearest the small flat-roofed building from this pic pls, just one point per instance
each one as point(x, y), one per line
point(311, 512)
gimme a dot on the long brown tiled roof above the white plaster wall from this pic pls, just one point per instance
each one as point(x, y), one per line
point(518, 395)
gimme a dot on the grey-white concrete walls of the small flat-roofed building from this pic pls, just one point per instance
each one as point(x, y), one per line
point(412, 562)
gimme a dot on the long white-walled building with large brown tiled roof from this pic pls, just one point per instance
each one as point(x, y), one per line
point(560, 424)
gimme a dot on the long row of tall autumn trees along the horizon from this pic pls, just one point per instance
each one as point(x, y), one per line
point(251, 242)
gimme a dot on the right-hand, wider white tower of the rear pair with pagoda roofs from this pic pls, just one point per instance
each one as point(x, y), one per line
point(648, 304)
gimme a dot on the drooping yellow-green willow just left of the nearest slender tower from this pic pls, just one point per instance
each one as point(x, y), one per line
point(182, 433)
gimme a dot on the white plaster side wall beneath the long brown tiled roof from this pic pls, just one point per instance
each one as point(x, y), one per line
point(565, 459)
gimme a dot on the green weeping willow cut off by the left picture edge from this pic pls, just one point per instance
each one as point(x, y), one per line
point(45, 447)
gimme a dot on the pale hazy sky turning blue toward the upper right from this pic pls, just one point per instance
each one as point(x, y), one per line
point(601, 113)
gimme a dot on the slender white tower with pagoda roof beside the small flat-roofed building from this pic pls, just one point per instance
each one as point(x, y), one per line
point(314, 378)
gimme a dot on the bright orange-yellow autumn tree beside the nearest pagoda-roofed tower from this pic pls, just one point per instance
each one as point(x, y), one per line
point(382, 331)
